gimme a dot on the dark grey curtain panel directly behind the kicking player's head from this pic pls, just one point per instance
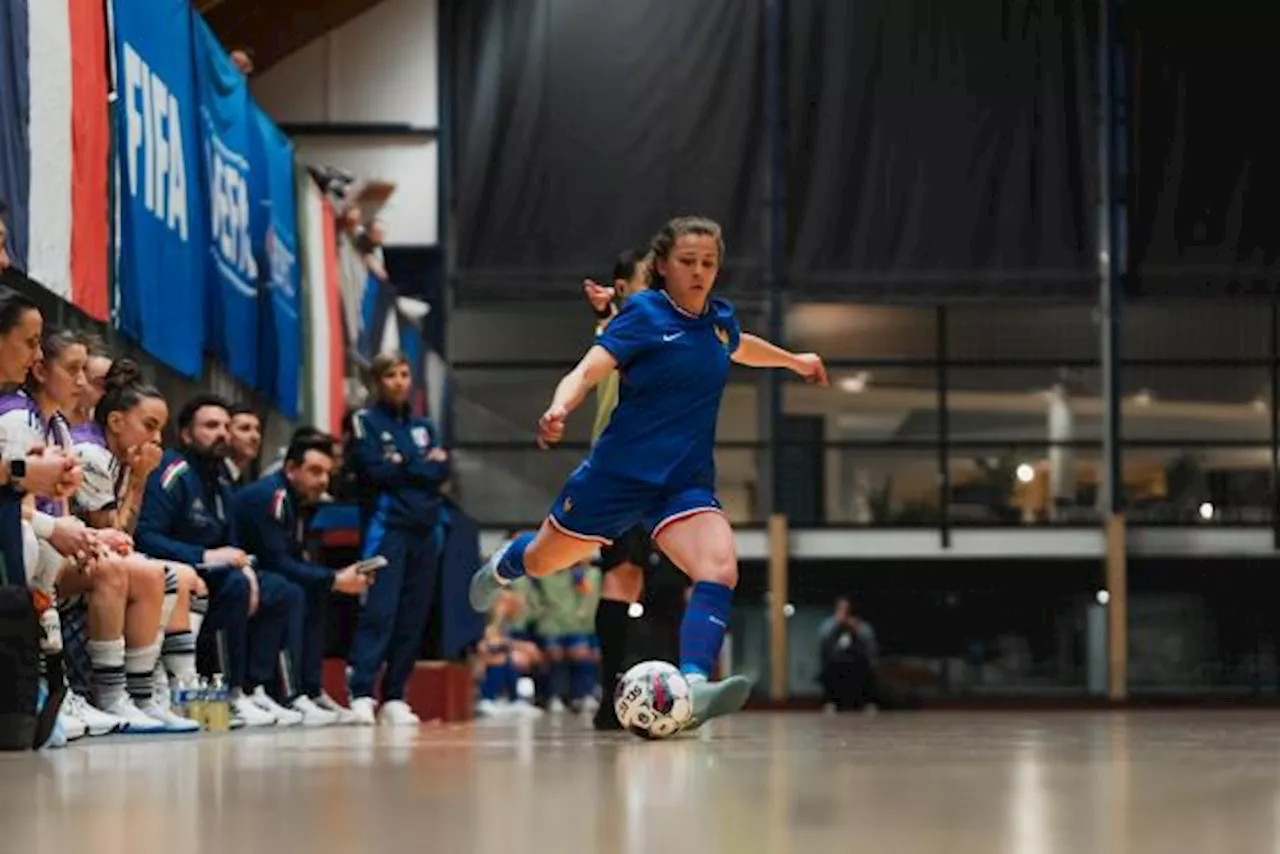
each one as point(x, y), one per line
point(582, 127)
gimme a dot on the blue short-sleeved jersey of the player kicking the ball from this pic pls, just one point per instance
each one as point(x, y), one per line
point(674, 368)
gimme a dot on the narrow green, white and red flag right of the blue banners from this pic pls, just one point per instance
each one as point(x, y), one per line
point(323, 344)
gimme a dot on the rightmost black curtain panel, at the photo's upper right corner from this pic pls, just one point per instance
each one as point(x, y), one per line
point(1206, 149)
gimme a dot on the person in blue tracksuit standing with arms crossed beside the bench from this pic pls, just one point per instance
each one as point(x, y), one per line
point(399, 467)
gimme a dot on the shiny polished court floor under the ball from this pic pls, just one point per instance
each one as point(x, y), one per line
point(794, 783)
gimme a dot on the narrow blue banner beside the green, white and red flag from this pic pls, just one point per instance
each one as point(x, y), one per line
point(281, 337)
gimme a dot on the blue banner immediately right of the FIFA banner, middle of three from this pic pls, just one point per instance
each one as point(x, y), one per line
point(236, 203)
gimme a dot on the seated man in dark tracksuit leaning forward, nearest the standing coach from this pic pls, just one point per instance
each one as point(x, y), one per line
point(271, 522)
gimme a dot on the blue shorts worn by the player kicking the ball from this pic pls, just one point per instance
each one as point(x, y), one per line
point(600, 508)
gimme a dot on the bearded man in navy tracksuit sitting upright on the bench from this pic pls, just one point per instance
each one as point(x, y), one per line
point(186, 517)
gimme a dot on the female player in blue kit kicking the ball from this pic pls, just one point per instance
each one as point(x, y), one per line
point(655, 463)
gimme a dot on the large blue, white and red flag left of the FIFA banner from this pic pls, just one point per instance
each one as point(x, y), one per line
point(56, 145)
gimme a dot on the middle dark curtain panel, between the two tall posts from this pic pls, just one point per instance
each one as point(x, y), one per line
point(943, 150)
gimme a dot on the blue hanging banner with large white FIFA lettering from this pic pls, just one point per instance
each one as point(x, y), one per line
point(161, 285)
